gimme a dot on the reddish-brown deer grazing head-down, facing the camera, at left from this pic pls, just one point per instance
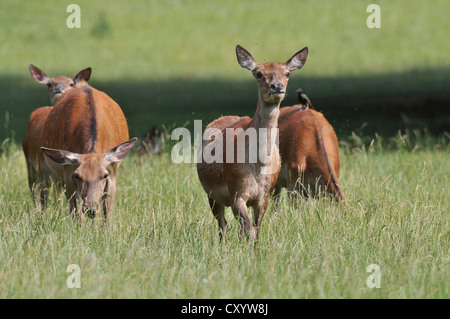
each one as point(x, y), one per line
point(83, 139)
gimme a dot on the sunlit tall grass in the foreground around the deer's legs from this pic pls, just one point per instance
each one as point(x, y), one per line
point(163, 240)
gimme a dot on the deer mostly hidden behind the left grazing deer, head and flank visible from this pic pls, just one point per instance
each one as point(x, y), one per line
point(57, 86)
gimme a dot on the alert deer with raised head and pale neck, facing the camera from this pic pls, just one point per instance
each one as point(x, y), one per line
point(248, 183)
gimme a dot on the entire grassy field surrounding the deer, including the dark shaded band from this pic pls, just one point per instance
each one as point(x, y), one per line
point(385, 91)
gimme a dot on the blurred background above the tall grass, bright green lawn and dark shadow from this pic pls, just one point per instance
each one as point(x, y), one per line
point(170, 62)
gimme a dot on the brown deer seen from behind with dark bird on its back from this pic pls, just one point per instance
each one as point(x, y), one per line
point(309, 151)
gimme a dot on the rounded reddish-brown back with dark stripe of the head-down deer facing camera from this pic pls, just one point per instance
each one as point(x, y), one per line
point(85, 120)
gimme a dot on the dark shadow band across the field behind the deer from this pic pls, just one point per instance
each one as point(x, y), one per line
point(382, 104)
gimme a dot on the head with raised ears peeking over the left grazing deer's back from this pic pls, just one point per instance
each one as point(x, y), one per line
point(58, 85)
